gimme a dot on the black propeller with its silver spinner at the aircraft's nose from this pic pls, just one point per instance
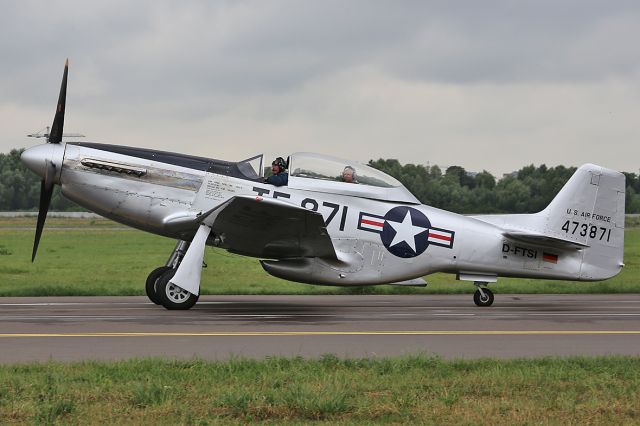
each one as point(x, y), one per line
point(46, 160)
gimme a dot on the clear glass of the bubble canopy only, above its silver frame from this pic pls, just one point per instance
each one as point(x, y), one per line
point(316, 166)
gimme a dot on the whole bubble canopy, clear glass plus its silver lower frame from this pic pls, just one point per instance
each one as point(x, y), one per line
point(324, 173)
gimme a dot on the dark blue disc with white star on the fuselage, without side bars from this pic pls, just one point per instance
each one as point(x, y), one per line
point(405, 232)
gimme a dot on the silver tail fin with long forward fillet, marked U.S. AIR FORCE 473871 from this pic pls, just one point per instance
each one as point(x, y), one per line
point(587, 215)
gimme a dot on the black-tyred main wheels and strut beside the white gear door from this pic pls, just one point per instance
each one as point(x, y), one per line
point(160, 291)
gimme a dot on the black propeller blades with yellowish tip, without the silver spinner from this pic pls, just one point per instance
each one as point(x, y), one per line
point(47, 182)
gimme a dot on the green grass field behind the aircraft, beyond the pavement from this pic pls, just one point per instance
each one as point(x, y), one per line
point(99, 257)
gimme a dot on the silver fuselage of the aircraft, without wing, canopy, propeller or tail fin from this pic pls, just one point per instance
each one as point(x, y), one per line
point(377, 241)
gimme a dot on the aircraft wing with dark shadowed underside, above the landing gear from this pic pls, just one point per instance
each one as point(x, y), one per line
point(270, 228)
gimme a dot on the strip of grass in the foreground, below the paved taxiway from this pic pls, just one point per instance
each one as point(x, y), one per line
point(416, 389)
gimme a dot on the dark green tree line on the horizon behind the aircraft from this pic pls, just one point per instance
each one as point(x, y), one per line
point(527, 190)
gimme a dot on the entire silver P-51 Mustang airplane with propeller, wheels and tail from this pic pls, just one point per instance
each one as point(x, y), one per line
point(320, 230)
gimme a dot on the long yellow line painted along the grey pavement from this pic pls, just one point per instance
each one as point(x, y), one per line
point(332, 333)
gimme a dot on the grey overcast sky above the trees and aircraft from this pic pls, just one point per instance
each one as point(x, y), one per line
point(492, 85)
